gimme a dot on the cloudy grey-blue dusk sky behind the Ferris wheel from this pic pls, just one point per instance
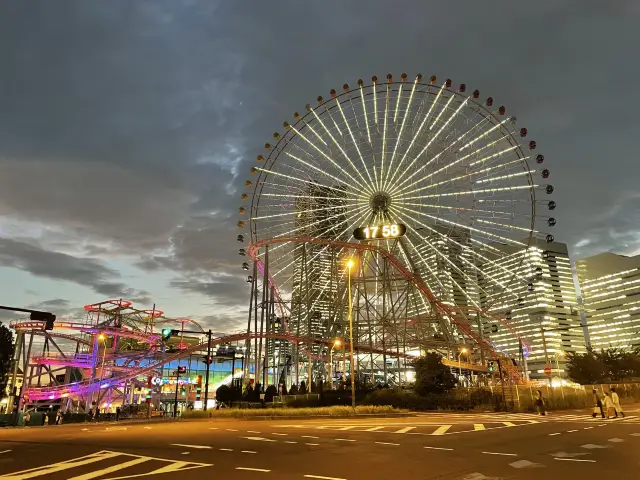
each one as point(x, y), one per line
point(128, 128)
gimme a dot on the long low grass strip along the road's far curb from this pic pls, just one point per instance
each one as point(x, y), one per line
point(337, 411)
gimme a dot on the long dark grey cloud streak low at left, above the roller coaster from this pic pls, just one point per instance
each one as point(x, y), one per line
point(61, 266)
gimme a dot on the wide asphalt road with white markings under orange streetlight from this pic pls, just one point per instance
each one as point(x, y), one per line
point(428, 446)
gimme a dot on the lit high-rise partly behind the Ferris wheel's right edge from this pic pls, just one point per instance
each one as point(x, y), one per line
point(540, 304)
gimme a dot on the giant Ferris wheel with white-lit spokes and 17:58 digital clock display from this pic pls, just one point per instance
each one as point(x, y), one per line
point(447, 182)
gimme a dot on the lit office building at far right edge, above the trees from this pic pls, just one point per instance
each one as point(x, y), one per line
point(610, 288)
